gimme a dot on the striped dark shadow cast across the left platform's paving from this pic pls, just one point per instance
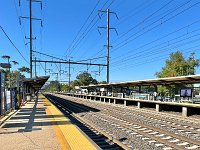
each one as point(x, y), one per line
point(31, 119)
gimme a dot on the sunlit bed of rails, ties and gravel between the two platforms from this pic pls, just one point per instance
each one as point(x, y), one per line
point(179, 137)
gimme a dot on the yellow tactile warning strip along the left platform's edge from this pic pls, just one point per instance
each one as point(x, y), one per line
point(69, 136)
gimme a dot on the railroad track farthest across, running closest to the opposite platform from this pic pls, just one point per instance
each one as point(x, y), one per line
point(178, 124)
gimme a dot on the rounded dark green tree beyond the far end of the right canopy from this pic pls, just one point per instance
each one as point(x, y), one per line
point(85, 79)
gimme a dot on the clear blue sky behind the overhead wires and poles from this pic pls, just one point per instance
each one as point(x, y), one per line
point(148, 31)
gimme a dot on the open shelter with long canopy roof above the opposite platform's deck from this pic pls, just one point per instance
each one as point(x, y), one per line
point(148, 89)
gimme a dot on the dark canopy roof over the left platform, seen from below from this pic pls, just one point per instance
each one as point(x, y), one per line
point(36, 83)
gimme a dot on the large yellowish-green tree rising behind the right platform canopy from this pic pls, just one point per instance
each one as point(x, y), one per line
point(177, 65)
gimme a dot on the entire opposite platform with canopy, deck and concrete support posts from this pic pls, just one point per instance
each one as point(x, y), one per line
point(144, 94)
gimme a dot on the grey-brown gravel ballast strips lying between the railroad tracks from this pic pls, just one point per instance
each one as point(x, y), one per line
point(132, 140)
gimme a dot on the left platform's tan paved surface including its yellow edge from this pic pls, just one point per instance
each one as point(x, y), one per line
point(40, 125)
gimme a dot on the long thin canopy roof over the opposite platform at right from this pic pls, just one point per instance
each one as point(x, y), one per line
point(191, 79)
